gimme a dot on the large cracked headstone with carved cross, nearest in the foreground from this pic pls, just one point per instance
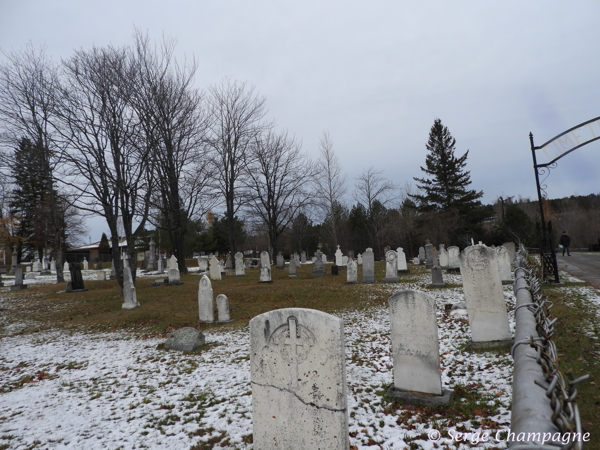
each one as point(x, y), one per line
point(298, 371)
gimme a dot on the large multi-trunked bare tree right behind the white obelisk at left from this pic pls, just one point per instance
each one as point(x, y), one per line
point(109, 162)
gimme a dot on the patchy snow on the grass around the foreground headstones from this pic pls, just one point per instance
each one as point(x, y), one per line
point(107, 391)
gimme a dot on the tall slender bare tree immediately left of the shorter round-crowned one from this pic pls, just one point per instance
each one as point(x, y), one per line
point(236, 122)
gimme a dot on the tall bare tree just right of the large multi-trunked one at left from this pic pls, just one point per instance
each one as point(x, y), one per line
point(174, 120)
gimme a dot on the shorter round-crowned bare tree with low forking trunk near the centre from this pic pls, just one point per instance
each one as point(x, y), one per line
point(277, 180)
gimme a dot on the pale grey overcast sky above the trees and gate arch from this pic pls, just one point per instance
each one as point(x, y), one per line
point(376, 74)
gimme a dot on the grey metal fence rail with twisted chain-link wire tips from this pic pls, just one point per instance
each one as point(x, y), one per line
point(544, 407)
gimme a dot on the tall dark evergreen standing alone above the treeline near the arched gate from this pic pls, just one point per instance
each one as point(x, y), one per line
point(445, 188)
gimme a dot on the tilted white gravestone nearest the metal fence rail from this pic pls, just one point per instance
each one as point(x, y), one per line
point(484, 296)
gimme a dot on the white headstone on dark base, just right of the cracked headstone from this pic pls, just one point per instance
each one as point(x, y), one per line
point(415, 347)
